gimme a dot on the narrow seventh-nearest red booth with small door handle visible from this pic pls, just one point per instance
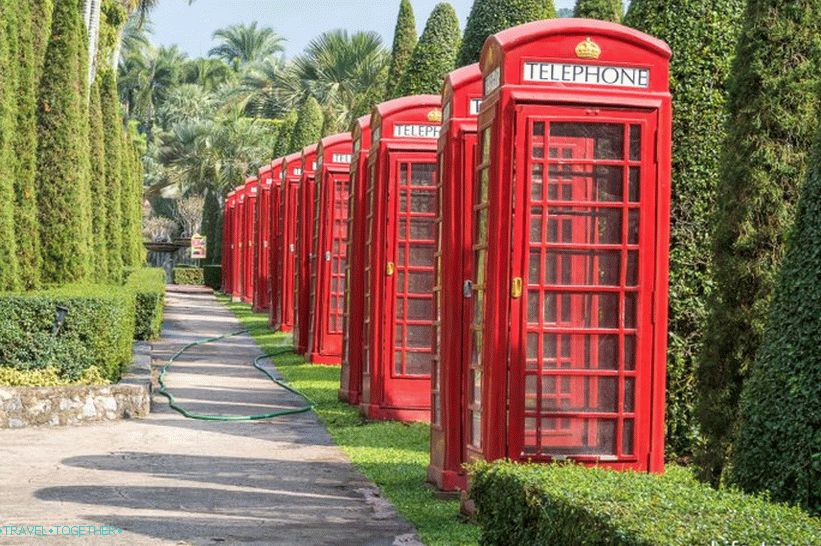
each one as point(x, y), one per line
point(291, 175)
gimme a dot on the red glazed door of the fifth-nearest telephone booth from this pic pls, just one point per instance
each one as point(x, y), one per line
point(329, 273)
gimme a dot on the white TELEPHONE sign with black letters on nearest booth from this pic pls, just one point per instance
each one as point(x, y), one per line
point(619, 76)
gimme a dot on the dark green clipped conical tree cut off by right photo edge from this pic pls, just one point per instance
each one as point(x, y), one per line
point(778, 441)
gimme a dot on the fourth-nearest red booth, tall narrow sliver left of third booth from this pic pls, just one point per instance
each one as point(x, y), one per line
point(350, 384)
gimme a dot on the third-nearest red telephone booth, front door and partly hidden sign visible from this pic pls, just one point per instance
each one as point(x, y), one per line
point(399, 268)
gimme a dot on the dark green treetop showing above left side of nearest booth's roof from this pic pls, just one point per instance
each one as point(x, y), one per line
point(491, 16)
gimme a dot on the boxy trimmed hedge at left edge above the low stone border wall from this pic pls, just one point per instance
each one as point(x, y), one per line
point(97, 332)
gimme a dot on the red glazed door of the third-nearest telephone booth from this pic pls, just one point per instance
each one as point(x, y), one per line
point(411, 244)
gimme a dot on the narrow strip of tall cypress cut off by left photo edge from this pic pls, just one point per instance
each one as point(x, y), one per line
point(9, 275)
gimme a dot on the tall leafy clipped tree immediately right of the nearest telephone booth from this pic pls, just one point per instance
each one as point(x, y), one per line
point(702, 33)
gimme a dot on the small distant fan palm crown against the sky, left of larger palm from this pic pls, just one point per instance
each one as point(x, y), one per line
point(240, 45)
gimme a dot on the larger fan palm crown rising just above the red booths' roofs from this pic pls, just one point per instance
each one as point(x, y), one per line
point(345, 73)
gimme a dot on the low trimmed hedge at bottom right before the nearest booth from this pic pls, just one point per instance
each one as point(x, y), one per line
point(568, 505)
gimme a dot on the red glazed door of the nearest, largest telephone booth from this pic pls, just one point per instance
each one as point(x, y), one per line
point(580, 367)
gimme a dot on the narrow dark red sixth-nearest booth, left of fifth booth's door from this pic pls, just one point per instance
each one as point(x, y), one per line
point(305, 259)
